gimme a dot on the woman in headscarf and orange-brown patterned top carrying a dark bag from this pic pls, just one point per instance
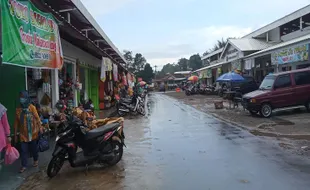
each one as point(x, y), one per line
point(28, 124)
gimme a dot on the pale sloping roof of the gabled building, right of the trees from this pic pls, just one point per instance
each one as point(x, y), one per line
point(249, 44)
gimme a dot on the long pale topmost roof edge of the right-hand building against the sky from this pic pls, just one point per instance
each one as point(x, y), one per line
point(301, 12)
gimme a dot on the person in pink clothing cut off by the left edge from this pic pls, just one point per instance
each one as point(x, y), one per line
point(4, 132)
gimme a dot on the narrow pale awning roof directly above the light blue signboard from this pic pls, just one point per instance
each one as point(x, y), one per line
point(278, 46)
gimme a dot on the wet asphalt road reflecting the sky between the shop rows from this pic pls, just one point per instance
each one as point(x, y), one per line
point(178, 147)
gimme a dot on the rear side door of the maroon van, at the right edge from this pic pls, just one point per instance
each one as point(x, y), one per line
point(302, 87)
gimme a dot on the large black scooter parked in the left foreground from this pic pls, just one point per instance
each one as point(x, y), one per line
point(103, 145)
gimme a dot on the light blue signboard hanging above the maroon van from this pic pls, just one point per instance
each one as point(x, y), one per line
point(291, 54)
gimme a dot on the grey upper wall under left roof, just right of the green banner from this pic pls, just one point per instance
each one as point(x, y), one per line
point(73, 52)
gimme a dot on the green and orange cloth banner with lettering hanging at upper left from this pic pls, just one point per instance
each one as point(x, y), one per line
point(30, 37)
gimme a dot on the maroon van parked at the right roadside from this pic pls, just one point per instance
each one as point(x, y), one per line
point(281, 90)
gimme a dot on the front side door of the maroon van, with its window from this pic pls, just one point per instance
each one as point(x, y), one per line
point(283, 93)
